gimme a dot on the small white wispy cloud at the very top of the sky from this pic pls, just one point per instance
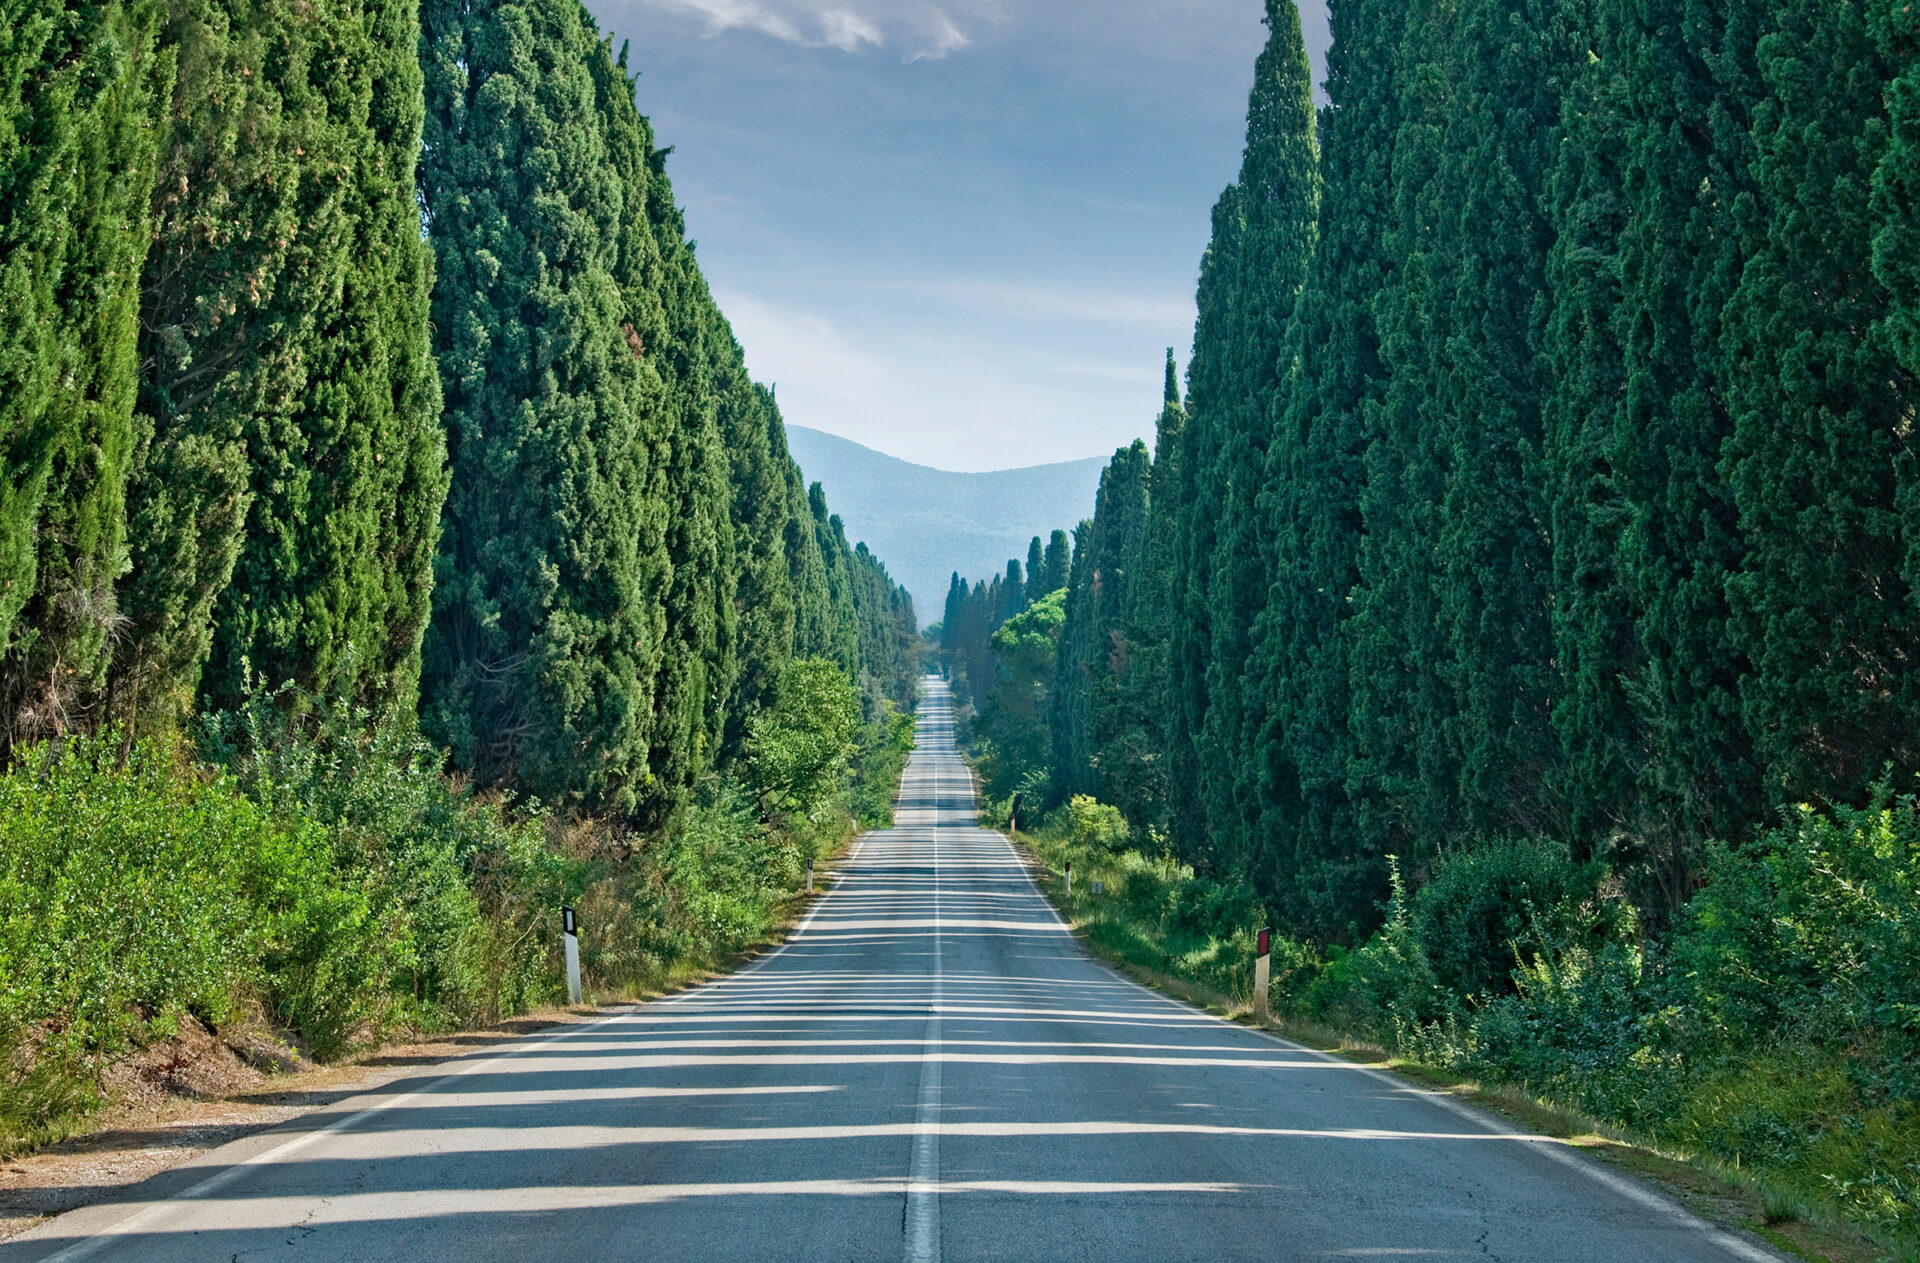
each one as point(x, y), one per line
point(919, 30)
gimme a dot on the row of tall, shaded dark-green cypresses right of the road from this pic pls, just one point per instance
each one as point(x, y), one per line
point(1547, 465)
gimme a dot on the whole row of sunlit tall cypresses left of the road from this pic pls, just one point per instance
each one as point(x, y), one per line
point(358, 345)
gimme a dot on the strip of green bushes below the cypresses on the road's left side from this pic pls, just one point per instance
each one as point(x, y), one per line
point(324, 876)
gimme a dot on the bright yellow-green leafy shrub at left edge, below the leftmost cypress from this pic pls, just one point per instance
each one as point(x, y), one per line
point(133, 892)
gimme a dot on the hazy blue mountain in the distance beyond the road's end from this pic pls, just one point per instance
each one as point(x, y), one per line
point(928, 523)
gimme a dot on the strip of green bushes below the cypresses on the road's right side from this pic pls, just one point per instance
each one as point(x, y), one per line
point(1771, 1036)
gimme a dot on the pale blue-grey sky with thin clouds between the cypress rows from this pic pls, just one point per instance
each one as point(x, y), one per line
point(959, 231)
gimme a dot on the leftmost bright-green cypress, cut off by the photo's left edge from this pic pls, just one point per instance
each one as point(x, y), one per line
point(80, 97)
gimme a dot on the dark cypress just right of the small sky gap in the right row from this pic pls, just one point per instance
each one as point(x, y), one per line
point(1320, 876)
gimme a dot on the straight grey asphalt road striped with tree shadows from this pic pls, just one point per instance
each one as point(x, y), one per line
point(930, 1070)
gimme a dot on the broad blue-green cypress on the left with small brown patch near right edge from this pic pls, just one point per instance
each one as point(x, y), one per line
point(550, 623)
